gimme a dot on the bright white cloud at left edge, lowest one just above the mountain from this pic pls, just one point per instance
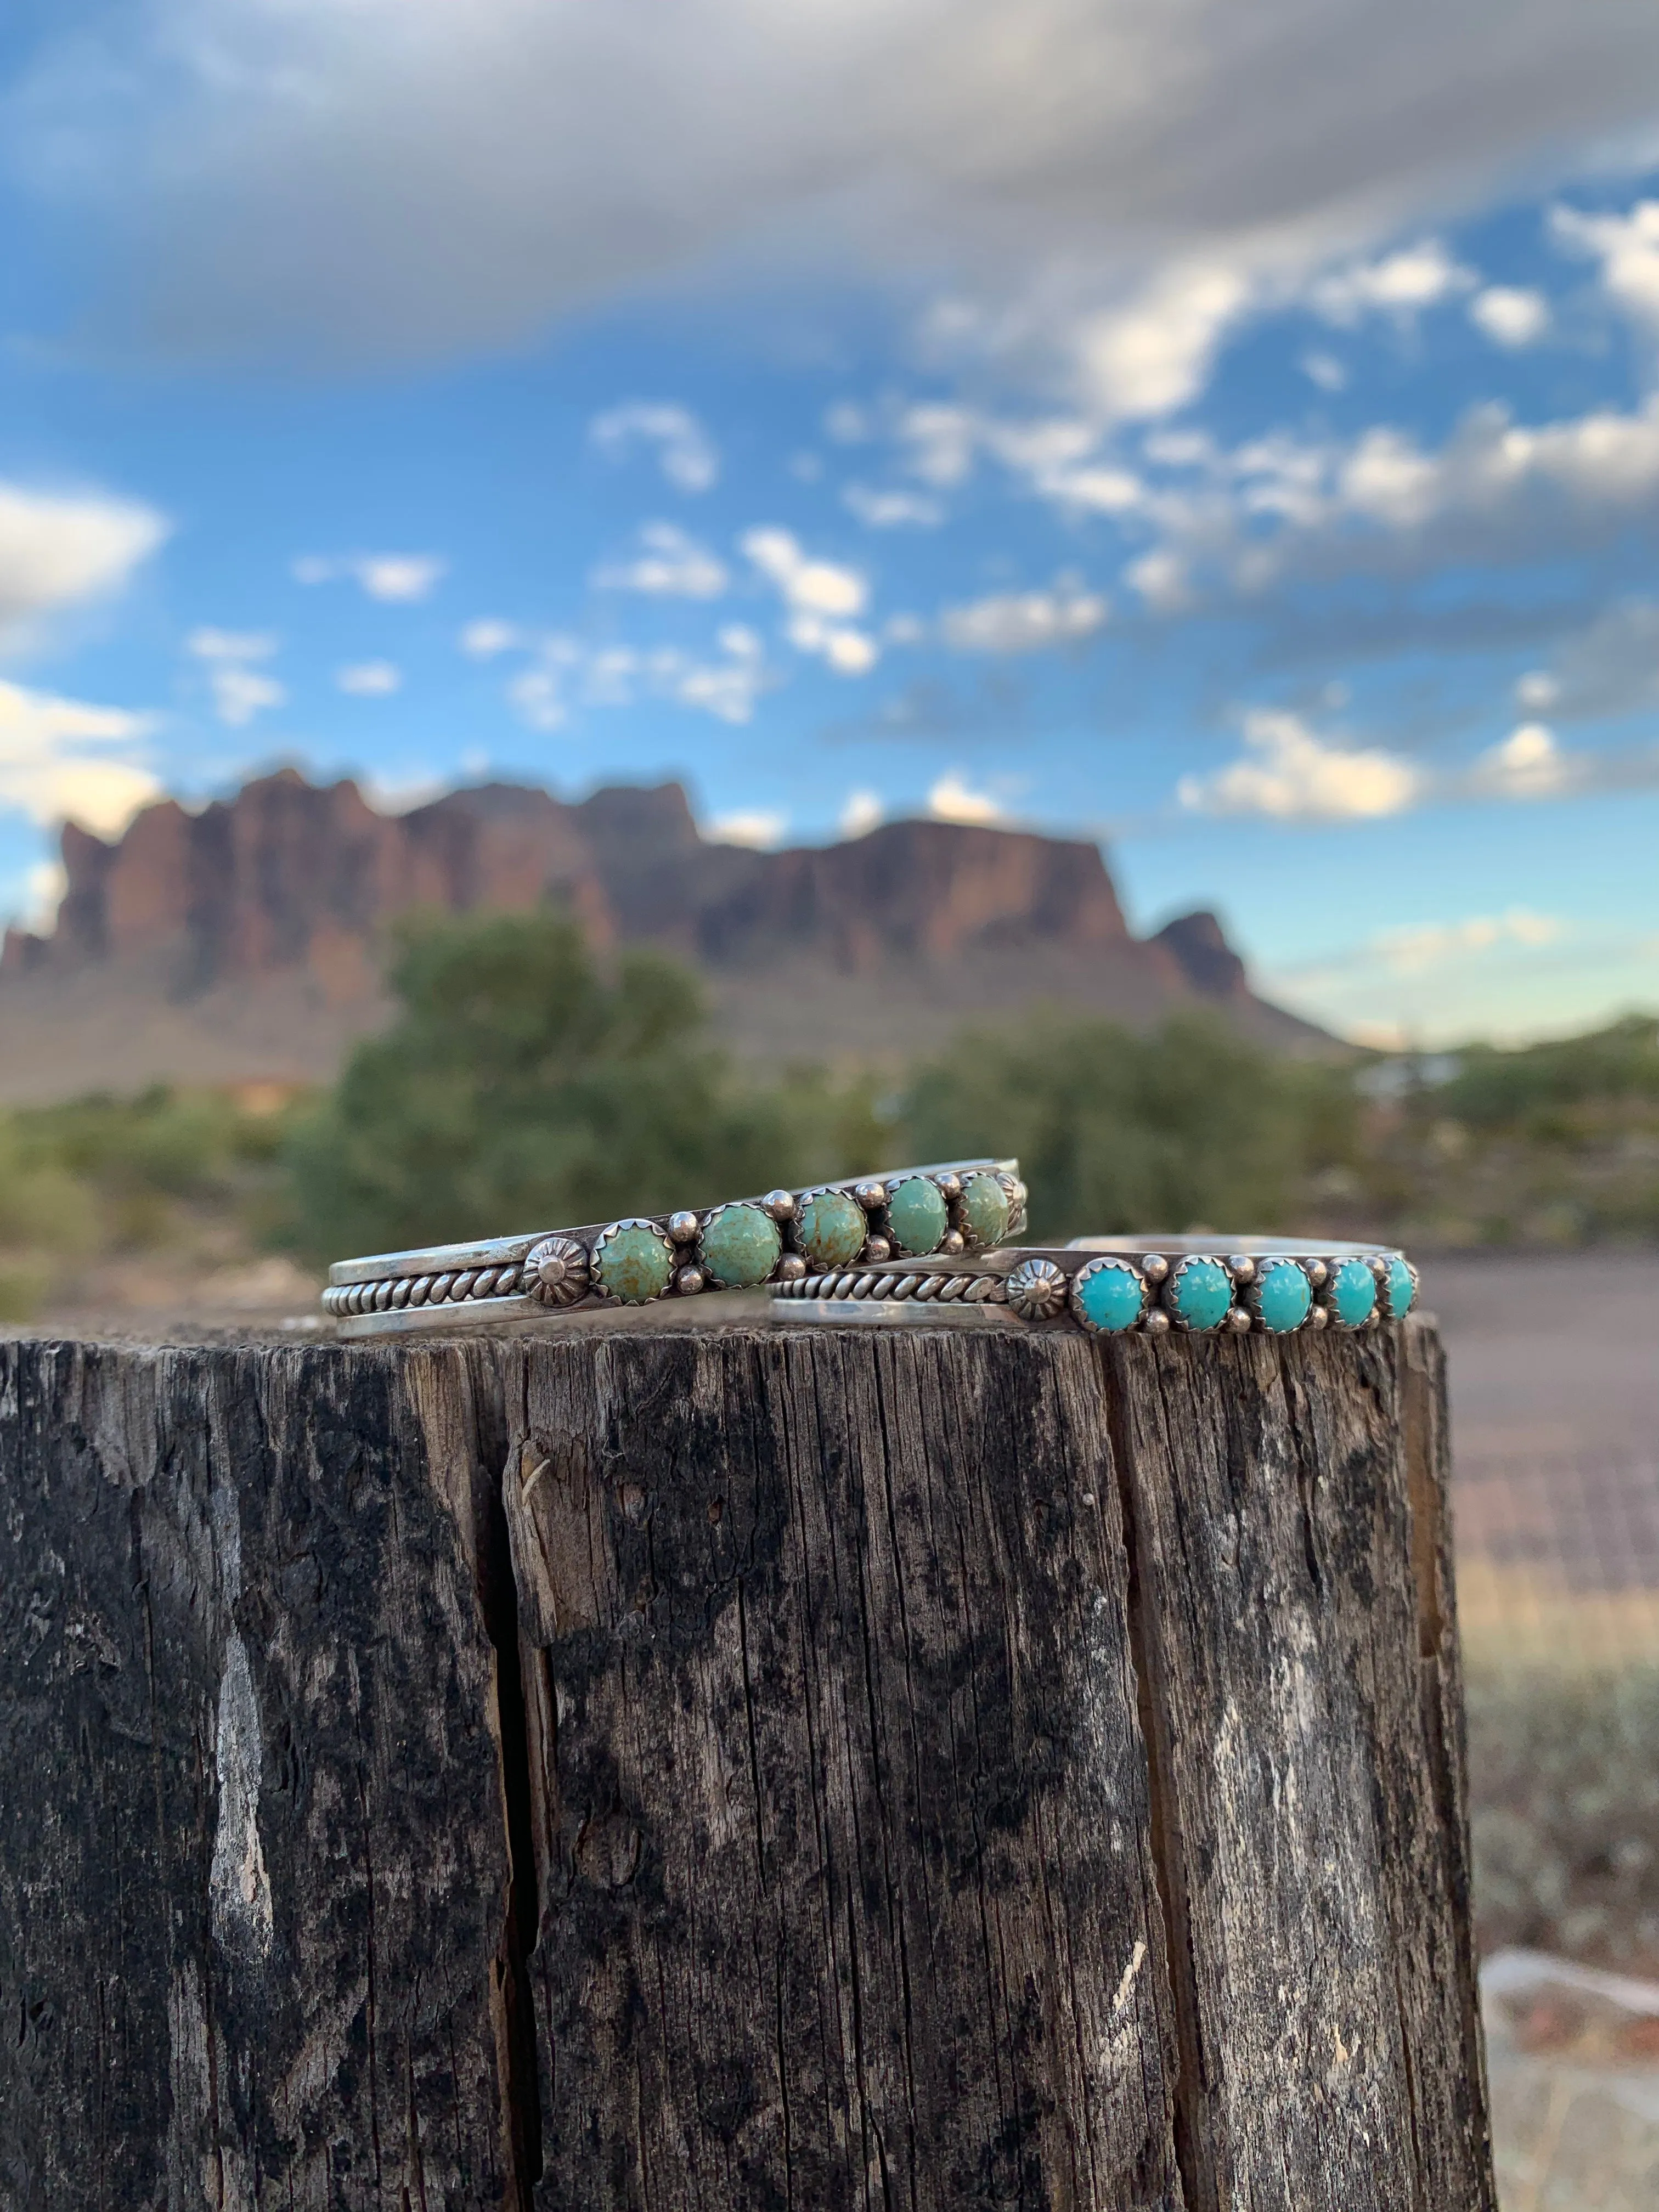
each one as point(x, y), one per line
point(67, 760)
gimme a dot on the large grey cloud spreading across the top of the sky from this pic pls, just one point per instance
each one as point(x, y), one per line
point(258, 160)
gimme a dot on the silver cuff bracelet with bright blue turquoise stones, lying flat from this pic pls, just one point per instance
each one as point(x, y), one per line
point(1114, 1286)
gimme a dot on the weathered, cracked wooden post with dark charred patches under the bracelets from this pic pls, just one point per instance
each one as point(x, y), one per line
point(733, 1768)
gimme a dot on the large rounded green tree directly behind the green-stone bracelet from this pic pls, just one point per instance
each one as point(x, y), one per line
point(521, 1085)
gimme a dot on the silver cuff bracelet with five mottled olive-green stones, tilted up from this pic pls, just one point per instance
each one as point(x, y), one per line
point(742, 1244)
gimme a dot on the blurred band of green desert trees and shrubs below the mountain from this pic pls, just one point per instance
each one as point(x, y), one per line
point(523, 1083)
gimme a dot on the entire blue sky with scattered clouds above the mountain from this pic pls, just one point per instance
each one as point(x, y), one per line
point(1231, 439)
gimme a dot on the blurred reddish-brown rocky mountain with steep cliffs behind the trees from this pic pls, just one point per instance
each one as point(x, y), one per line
point(247, 941)
